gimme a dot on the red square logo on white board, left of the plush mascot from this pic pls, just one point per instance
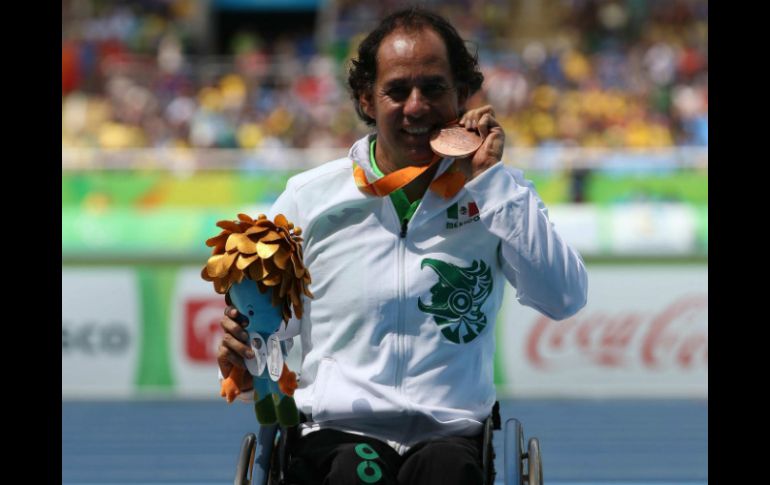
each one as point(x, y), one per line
point(203, 330)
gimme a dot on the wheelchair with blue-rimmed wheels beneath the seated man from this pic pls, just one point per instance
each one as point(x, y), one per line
point(264, 457)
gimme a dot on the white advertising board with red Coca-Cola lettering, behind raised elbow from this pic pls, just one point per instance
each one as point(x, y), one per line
point(643, 333)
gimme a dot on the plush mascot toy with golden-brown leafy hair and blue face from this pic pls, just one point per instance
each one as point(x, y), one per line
point(257, 265)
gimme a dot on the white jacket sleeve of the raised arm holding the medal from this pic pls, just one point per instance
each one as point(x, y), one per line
point(547, 273)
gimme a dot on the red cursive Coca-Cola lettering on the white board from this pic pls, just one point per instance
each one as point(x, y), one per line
point(675, 337)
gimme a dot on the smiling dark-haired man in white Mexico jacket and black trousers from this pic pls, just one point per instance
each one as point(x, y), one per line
point(409, 252)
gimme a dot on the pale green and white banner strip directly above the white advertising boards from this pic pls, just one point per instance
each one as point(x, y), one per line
point(178, 233)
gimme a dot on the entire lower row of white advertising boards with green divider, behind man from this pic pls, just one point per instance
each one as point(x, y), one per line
point(643, 333)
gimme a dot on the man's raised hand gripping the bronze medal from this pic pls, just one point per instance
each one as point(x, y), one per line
point(491, 150)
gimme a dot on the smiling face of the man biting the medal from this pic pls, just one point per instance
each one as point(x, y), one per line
point(414, 95)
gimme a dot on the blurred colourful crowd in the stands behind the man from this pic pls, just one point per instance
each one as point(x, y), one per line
point(630, 73)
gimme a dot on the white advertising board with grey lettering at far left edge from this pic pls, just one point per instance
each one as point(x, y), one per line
point(100, 332)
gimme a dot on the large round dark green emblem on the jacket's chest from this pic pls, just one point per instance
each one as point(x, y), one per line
point(458, 297)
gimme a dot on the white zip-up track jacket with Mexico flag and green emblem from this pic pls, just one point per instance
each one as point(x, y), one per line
point(398, 342)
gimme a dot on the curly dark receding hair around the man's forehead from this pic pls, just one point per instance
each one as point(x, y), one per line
point(363, 72)
